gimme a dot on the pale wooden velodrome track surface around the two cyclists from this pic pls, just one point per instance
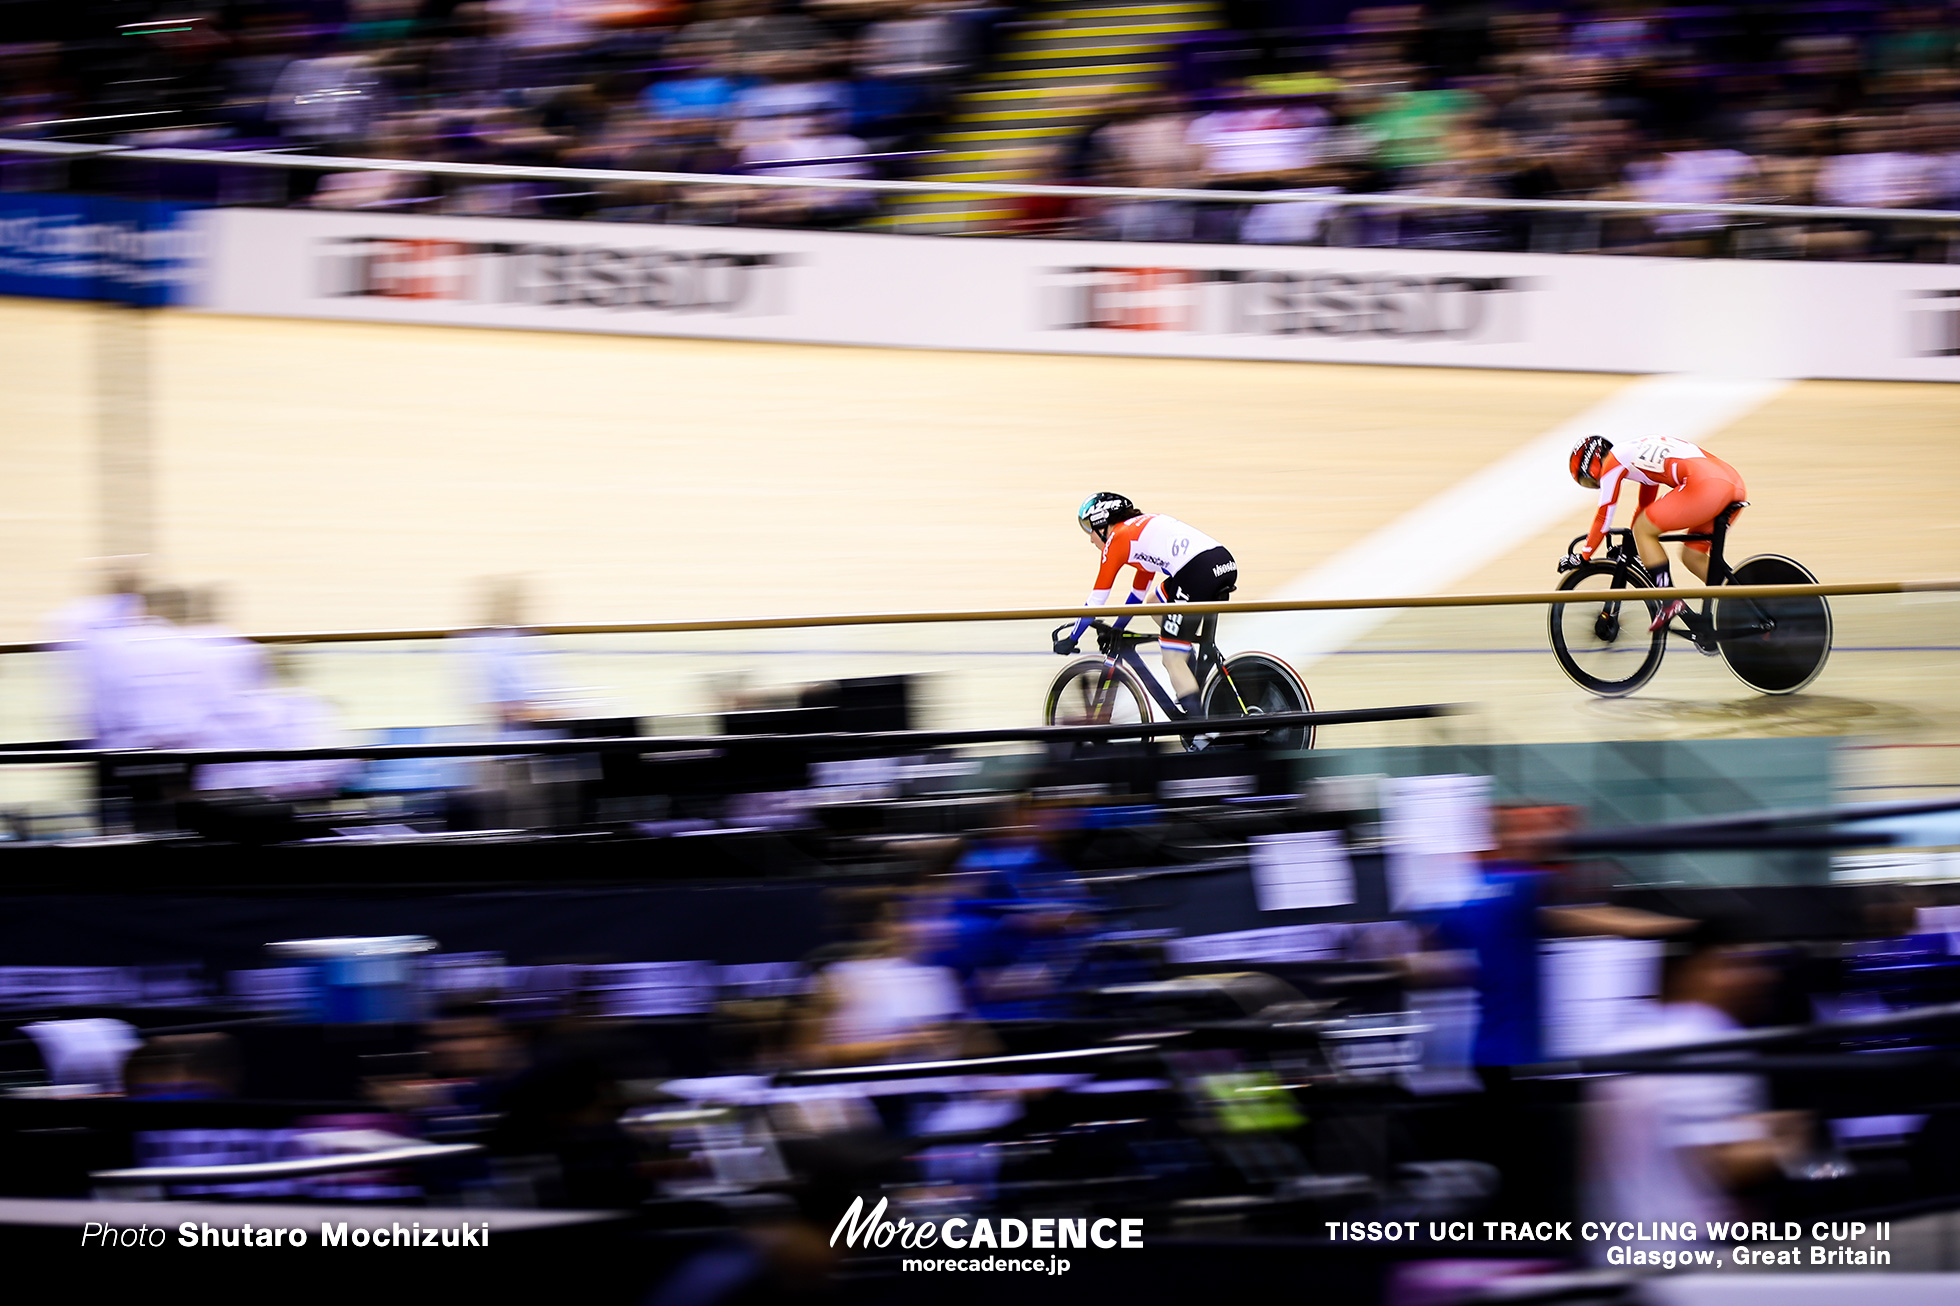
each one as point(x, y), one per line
point(348, 476)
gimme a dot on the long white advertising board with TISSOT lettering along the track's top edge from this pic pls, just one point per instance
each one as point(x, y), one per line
point(1565, 313)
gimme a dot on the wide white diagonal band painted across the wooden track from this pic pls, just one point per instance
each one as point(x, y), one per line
point(1487, 515)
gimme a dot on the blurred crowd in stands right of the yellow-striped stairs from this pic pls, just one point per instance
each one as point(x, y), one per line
point(1836, 105)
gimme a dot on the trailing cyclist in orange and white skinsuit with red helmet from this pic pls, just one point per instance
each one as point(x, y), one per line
point(1698, 483)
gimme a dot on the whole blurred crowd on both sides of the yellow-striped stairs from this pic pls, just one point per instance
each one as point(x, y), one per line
point(1845, 103)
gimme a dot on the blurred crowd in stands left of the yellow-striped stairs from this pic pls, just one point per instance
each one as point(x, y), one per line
point(820, 89)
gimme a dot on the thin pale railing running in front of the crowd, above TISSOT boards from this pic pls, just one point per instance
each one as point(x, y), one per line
point(961, 189)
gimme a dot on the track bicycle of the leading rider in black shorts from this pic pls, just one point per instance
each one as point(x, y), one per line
point(1114, 687)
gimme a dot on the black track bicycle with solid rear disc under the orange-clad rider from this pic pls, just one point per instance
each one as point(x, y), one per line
point(1775, 646)
